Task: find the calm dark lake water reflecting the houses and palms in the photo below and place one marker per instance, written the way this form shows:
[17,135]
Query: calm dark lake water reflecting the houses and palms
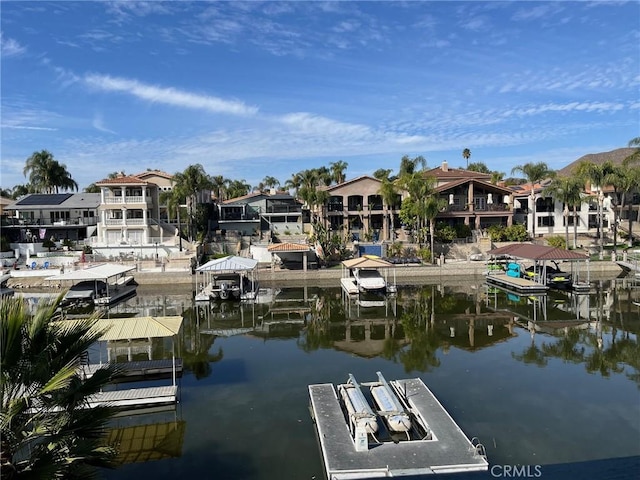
[539,380]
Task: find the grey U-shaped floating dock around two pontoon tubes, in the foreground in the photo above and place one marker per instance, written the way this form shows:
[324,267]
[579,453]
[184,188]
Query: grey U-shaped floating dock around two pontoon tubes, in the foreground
[446,449]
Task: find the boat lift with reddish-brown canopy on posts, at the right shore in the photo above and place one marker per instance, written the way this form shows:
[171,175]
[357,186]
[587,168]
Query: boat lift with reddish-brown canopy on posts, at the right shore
[539,255]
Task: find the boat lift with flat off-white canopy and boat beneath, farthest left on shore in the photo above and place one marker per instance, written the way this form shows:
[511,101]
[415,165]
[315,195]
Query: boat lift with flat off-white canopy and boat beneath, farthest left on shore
[103,284]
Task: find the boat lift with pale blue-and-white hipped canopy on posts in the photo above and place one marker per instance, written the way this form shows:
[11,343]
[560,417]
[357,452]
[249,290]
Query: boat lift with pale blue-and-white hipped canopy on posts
[228,267]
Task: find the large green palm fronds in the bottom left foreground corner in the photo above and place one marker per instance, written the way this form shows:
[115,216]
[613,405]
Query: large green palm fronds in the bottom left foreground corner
[46,429]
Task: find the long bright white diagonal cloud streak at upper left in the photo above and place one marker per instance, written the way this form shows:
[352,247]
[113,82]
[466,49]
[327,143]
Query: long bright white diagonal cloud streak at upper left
[168,95]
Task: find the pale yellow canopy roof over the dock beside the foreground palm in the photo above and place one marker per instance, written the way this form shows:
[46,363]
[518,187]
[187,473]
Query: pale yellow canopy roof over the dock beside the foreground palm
[138,327]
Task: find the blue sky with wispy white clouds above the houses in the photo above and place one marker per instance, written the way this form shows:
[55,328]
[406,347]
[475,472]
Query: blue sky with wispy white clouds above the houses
[272,88]
